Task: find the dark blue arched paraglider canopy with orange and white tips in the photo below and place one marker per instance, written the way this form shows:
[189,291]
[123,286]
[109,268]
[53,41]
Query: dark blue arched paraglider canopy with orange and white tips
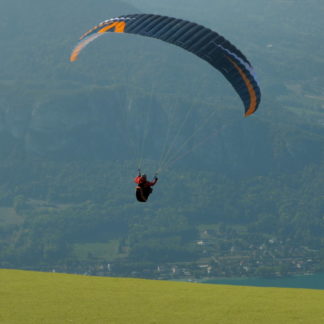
[199,40]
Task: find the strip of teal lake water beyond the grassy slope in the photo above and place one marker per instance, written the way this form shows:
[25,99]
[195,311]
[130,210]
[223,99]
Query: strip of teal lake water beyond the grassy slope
[315,281]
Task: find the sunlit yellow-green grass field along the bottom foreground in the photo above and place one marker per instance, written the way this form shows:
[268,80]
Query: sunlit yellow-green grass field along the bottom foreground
[33,297]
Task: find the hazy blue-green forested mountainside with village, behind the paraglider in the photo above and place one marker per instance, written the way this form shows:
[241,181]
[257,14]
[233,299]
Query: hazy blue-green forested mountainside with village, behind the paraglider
[236,196]
